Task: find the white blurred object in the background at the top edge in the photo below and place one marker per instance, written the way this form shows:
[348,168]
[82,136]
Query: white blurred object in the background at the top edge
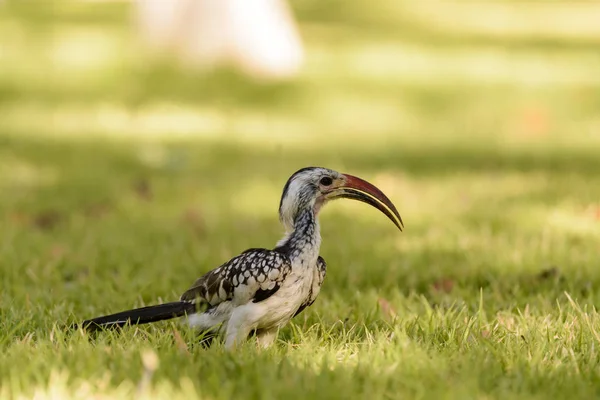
[259,37]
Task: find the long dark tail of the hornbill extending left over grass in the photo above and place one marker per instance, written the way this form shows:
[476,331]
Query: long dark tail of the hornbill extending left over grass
[139,316]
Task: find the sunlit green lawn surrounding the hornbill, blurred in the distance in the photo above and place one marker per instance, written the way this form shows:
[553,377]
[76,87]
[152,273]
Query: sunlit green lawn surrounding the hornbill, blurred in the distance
[121,181]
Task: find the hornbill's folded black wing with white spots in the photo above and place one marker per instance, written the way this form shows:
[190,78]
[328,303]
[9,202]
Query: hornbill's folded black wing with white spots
[254,275]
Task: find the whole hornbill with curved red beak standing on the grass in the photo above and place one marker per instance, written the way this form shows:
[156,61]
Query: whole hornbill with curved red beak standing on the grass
[261,290]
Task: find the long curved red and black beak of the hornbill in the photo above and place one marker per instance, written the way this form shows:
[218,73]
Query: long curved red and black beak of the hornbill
[361,190]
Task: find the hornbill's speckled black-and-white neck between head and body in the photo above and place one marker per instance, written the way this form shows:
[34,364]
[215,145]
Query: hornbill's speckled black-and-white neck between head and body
[303,241]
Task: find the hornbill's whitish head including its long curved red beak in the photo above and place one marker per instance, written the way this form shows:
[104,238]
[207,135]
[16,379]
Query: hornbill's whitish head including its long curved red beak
[312,187]
